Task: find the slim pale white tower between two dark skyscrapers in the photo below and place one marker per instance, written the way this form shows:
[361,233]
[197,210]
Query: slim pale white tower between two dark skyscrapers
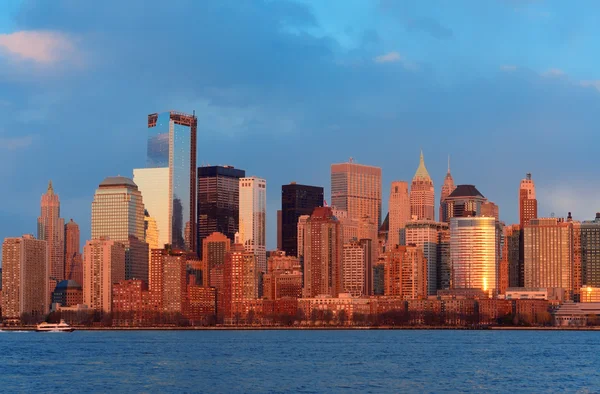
[253,212]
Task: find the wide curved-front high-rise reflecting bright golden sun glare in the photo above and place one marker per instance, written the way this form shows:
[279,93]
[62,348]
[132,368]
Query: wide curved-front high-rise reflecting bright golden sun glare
[474,253]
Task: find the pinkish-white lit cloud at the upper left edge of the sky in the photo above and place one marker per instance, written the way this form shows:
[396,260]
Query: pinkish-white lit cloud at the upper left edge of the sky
[42,47]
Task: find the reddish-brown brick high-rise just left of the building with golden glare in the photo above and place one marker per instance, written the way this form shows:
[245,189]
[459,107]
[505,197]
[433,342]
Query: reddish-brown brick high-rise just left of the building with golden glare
[405,272]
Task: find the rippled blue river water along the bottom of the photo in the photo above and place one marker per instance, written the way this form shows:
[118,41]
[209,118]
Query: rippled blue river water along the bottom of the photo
[300,361]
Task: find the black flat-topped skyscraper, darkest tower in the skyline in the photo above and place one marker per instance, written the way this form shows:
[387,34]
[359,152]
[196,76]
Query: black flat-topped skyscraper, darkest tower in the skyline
[296,200]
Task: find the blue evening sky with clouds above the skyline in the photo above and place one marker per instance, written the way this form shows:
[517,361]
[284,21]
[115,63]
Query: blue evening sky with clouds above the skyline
[283,89]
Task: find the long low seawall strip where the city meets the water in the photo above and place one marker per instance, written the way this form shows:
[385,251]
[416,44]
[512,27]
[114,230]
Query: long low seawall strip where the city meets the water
[332,328]
